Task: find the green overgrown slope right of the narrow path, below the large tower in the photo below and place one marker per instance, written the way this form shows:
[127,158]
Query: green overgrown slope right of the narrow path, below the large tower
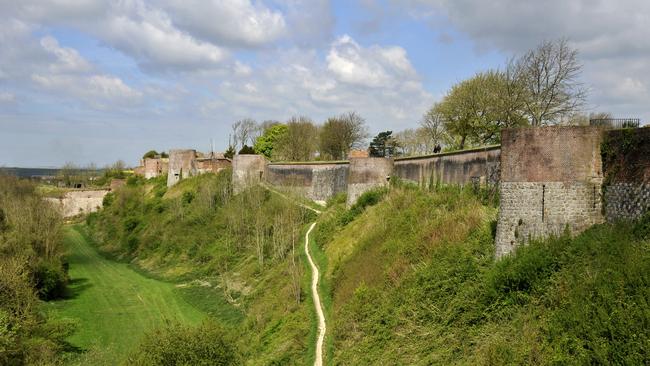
[413,281]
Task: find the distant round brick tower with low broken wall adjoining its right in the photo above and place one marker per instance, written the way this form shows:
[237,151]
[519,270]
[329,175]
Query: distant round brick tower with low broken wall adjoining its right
[188,163]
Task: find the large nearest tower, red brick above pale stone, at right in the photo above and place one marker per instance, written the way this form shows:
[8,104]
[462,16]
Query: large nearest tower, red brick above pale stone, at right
[551,179]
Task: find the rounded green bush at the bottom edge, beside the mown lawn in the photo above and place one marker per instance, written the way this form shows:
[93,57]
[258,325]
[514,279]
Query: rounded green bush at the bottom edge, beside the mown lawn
[177,344]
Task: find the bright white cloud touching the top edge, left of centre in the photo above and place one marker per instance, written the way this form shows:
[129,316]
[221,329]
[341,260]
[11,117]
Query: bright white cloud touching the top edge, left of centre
[238,23]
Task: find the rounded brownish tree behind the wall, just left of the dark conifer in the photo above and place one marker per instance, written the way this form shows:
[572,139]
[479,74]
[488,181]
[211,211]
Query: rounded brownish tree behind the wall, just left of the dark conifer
[340,134]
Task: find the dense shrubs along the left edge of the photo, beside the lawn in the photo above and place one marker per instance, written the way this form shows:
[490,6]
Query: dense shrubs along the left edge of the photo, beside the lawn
[31,269]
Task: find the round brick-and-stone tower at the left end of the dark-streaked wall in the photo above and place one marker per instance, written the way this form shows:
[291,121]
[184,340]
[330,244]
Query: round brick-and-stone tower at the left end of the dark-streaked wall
[366,174]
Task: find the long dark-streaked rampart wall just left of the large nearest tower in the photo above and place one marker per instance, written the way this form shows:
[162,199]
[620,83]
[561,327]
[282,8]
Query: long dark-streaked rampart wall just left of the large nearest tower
[459,167]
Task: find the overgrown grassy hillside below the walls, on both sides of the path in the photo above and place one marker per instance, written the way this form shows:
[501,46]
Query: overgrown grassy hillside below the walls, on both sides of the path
[408,276]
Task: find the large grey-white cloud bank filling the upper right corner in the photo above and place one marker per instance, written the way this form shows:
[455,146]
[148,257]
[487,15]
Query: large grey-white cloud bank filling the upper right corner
[611,37]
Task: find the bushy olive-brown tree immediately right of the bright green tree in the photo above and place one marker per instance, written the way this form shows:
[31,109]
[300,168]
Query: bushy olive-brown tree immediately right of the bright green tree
[300,141]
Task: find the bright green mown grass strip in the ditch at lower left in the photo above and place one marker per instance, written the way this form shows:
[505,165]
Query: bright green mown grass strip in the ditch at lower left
[114,305]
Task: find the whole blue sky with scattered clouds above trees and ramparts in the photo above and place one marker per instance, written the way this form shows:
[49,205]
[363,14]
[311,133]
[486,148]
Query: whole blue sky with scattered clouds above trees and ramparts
[94,81]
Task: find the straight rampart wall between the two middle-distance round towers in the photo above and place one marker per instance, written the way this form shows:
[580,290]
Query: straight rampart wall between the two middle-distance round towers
[318,181]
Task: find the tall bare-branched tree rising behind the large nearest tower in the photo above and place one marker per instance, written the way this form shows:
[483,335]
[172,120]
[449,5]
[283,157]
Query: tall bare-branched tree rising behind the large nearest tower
[550,78]
